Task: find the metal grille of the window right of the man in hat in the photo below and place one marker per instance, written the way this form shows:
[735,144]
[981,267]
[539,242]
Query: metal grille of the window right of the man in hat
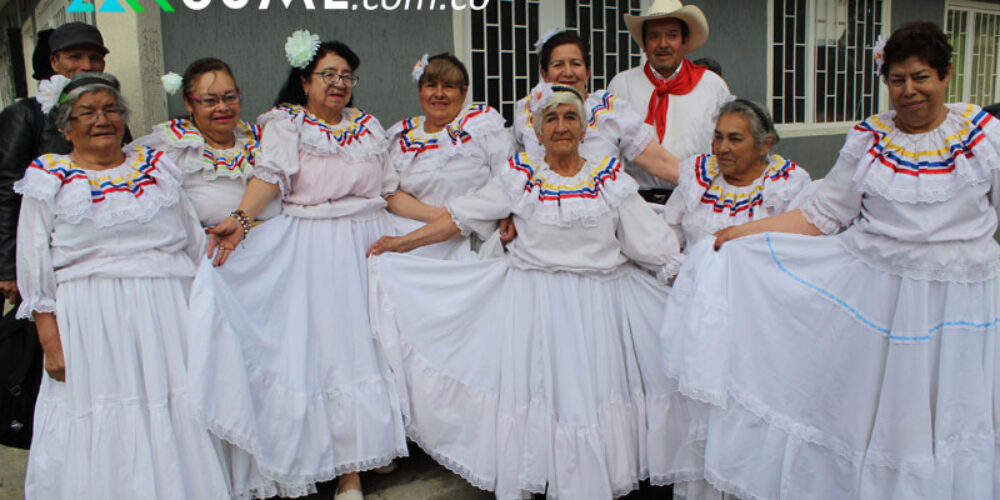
[821,60]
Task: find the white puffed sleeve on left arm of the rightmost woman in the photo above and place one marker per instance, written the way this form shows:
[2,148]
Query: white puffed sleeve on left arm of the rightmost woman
[837,200]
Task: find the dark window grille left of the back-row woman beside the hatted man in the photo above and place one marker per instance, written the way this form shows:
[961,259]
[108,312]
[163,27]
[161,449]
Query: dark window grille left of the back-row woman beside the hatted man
[504,64]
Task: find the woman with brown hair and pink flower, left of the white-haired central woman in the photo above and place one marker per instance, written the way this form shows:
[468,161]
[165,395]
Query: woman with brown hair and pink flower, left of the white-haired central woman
[450,150]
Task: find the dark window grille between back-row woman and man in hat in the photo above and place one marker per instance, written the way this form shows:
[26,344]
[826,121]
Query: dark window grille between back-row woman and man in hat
[602,23]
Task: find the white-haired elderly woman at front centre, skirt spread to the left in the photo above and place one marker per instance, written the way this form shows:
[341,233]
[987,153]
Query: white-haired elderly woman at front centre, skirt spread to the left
[531,373]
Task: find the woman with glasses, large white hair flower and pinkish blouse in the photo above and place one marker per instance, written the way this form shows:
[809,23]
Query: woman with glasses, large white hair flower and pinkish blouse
[284,349]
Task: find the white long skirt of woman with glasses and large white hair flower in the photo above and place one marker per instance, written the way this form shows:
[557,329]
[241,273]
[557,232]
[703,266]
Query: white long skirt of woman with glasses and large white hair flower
[282,345]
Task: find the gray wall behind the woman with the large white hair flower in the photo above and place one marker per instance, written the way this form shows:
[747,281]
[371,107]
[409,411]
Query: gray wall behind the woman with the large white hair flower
[252,42]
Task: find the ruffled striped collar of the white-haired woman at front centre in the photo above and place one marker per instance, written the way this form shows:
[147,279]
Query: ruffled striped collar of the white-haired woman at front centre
[595,191]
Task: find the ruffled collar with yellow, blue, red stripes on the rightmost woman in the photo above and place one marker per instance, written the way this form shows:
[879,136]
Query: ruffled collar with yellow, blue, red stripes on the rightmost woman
[916,168]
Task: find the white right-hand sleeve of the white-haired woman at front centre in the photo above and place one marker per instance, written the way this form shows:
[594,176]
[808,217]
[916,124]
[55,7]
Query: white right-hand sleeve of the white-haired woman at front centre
[646,239]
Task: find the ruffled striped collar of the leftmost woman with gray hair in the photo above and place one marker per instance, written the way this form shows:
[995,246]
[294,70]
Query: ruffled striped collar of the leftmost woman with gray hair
[134,191]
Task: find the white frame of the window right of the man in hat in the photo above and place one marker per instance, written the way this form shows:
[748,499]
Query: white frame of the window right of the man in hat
[810,128]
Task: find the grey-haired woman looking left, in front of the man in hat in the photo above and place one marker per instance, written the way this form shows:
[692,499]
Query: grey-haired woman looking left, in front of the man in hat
[740,181]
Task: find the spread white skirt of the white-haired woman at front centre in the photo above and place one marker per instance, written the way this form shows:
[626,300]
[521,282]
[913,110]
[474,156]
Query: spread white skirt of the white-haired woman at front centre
[523,381]
